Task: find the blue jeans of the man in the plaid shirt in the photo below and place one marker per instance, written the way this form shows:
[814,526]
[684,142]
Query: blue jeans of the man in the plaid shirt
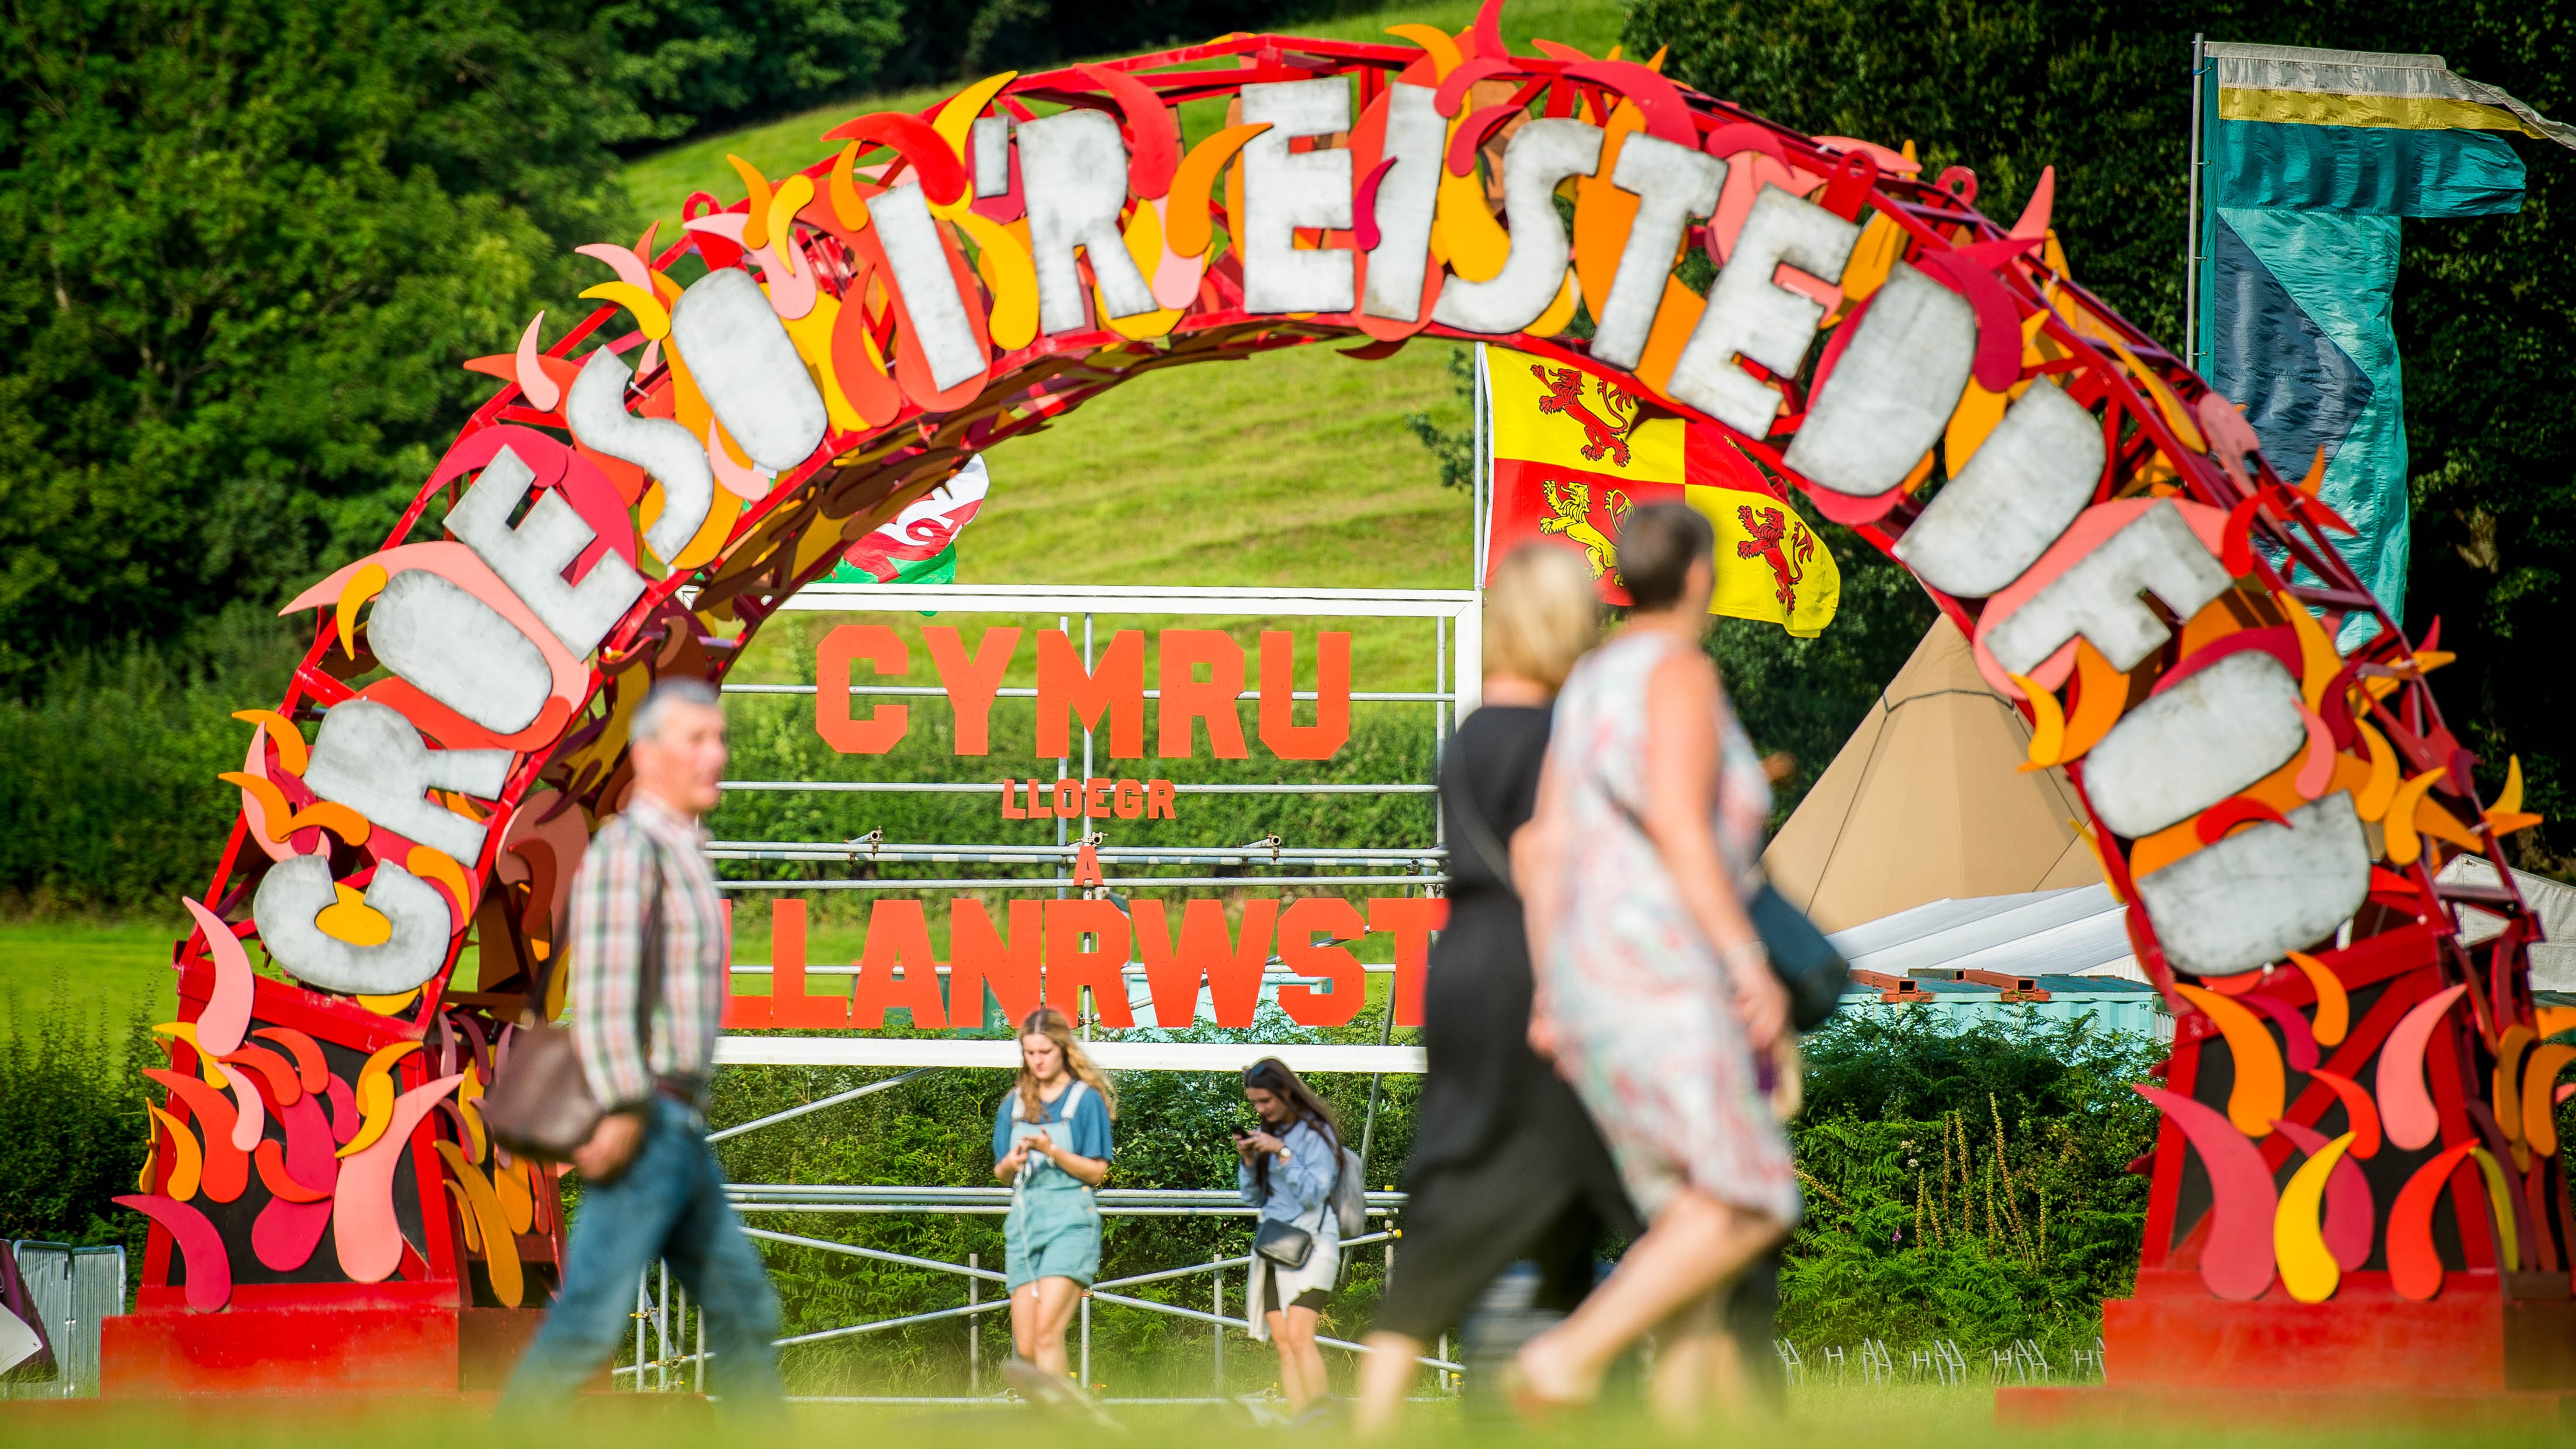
[666,1205]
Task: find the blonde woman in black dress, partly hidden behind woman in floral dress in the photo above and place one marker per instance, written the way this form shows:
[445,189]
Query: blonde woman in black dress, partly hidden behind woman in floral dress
[1506,1159]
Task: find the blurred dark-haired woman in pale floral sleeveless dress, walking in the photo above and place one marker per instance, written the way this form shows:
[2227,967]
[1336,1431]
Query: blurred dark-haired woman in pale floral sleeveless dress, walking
[1655,994]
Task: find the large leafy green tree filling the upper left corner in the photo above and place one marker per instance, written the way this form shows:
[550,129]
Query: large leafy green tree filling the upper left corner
[251,246]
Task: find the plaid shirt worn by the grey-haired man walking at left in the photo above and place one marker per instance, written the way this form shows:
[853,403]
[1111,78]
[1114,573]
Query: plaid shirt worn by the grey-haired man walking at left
[607,960]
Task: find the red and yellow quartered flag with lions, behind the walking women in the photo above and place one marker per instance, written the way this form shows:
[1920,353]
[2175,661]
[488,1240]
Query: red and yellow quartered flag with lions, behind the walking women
[1575,455]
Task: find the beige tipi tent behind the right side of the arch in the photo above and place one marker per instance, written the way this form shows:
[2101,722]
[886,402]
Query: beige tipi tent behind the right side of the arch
[1928,803]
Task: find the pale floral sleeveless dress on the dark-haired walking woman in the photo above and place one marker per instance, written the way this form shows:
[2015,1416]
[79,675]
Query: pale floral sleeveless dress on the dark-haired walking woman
[1645,1015]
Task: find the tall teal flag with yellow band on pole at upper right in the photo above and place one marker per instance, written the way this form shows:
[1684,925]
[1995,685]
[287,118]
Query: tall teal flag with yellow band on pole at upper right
[2312,161]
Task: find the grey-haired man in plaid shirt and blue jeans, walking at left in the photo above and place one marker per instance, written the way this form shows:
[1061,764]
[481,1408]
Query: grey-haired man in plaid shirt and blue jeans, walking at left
[650,1185]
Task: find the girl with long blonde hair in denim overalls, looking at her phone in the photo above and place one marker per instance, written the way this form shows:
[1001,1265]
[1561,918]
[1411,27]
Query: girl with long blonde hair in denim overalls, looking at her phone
[1052,1146]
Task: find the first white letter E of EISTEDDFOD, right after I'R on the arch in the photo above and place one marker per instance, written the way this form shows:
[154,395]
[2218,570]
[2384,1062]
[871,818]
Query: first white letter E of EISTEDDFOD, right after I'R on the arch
[1287,192]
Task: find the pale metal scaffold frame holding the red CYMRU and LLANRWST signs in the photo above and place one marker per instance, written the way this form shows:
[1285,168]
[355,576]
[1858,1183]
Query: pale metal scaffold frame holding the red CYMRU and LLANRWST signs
[663,1350]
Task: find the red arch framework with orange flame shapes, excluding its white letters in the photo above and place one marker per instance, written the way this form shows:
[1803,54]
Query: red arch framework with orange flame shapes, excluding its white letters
[2165,440]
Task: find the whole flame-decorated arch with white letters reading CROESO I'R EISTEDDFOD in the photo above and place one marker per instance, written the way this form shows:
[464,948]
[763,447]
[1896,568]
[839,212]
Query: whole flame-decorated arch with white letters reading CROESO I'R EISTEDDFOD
[2132,571]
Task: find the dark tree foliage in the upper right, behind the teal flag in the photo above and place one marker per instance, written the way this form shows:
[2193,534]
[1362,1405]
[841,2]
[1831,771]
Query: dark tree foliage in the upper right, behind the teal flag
[2101,92]
